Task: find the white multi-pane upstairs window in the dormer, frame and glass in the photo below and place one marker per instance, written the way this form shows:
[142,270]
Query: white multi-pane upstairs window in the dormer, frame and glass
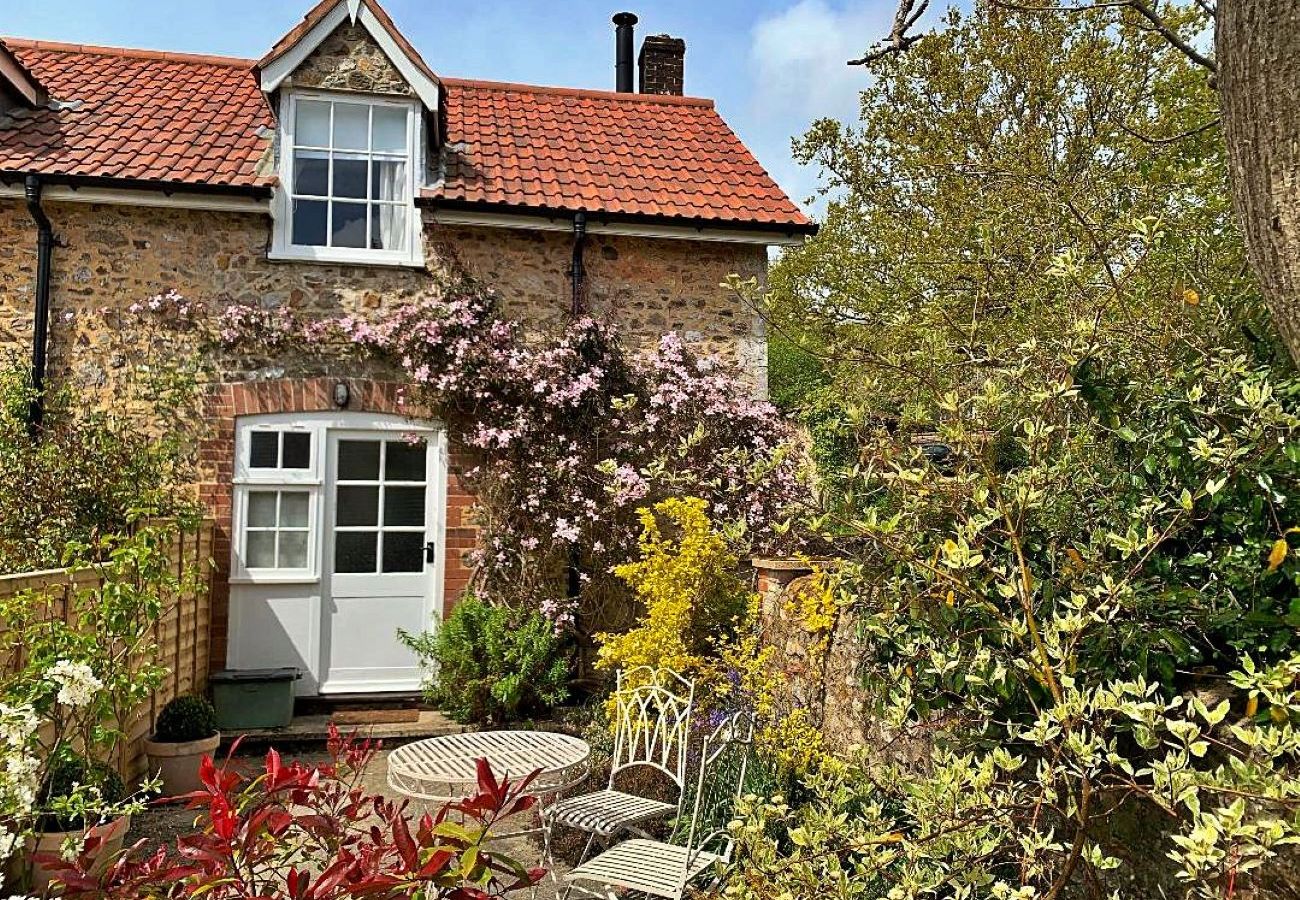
[348,176]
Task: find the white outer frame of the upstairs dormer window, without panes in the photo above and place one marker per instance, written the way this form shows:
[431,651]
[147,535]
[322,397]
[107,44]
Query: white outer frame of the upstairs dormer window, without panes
[283,248]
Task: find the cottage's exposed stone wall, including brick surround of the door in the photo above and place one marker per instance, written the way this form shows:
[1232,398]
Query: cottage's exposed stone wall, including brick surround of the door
[112,257]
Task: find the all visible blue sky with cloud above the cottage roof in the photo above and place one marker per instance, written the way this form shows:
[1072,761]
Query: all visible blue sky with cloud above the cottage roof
[773,66]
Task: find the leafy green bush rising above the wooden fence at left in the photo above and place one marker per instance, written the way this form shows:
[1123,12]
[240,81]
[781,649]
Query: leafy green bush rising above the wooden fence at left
[90,471]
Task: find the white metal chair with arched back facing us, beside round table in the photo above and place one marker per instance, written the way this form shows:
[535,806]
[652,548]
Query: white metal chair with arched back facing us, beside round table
[652,728]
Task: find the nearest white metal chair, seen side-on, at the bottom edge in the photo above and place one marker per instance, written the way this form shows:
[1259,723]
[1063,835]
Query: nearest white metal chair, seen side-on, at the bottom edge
[661,869]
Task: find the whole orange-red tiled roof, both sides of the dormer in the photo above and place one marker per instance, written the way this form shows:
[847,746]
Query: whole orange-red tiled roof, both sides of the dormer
[202,122]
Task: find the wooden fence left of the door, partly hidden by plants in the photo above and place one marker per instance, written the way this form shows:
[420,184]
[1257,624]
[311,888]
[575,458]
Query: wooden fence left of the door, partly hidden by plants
[181,634]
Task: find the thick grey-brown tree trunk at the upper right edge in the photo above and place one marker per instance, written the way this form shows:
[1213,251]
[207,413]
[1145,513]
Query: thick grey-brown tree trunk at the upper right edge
[1258,46]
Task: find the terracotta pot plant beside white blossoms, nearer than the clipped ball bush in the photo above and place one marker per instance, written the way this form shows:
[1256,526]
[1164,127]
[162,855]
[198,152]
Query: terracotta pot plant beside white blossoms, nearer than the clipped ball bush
[79,801]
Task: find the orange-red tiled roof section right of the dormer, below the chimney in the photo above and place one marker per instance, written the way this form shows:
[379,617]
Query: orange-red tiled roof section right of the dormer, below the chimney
[623,154]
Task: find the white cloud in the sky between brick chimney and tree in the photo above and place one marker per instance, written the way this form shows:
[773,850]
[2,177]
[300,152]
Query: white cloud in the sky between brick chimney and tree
[799,64]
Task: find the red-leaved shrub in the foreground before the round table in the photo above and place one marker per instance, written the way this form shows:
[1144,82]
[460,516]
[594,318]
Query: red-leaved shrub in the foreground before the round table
[313,833]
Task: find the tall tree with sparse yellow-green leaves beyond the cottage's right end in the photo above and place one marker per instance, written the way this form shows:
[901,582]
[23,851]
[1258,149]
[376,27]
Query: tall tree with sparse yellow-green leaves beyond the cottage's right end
[981,155]
